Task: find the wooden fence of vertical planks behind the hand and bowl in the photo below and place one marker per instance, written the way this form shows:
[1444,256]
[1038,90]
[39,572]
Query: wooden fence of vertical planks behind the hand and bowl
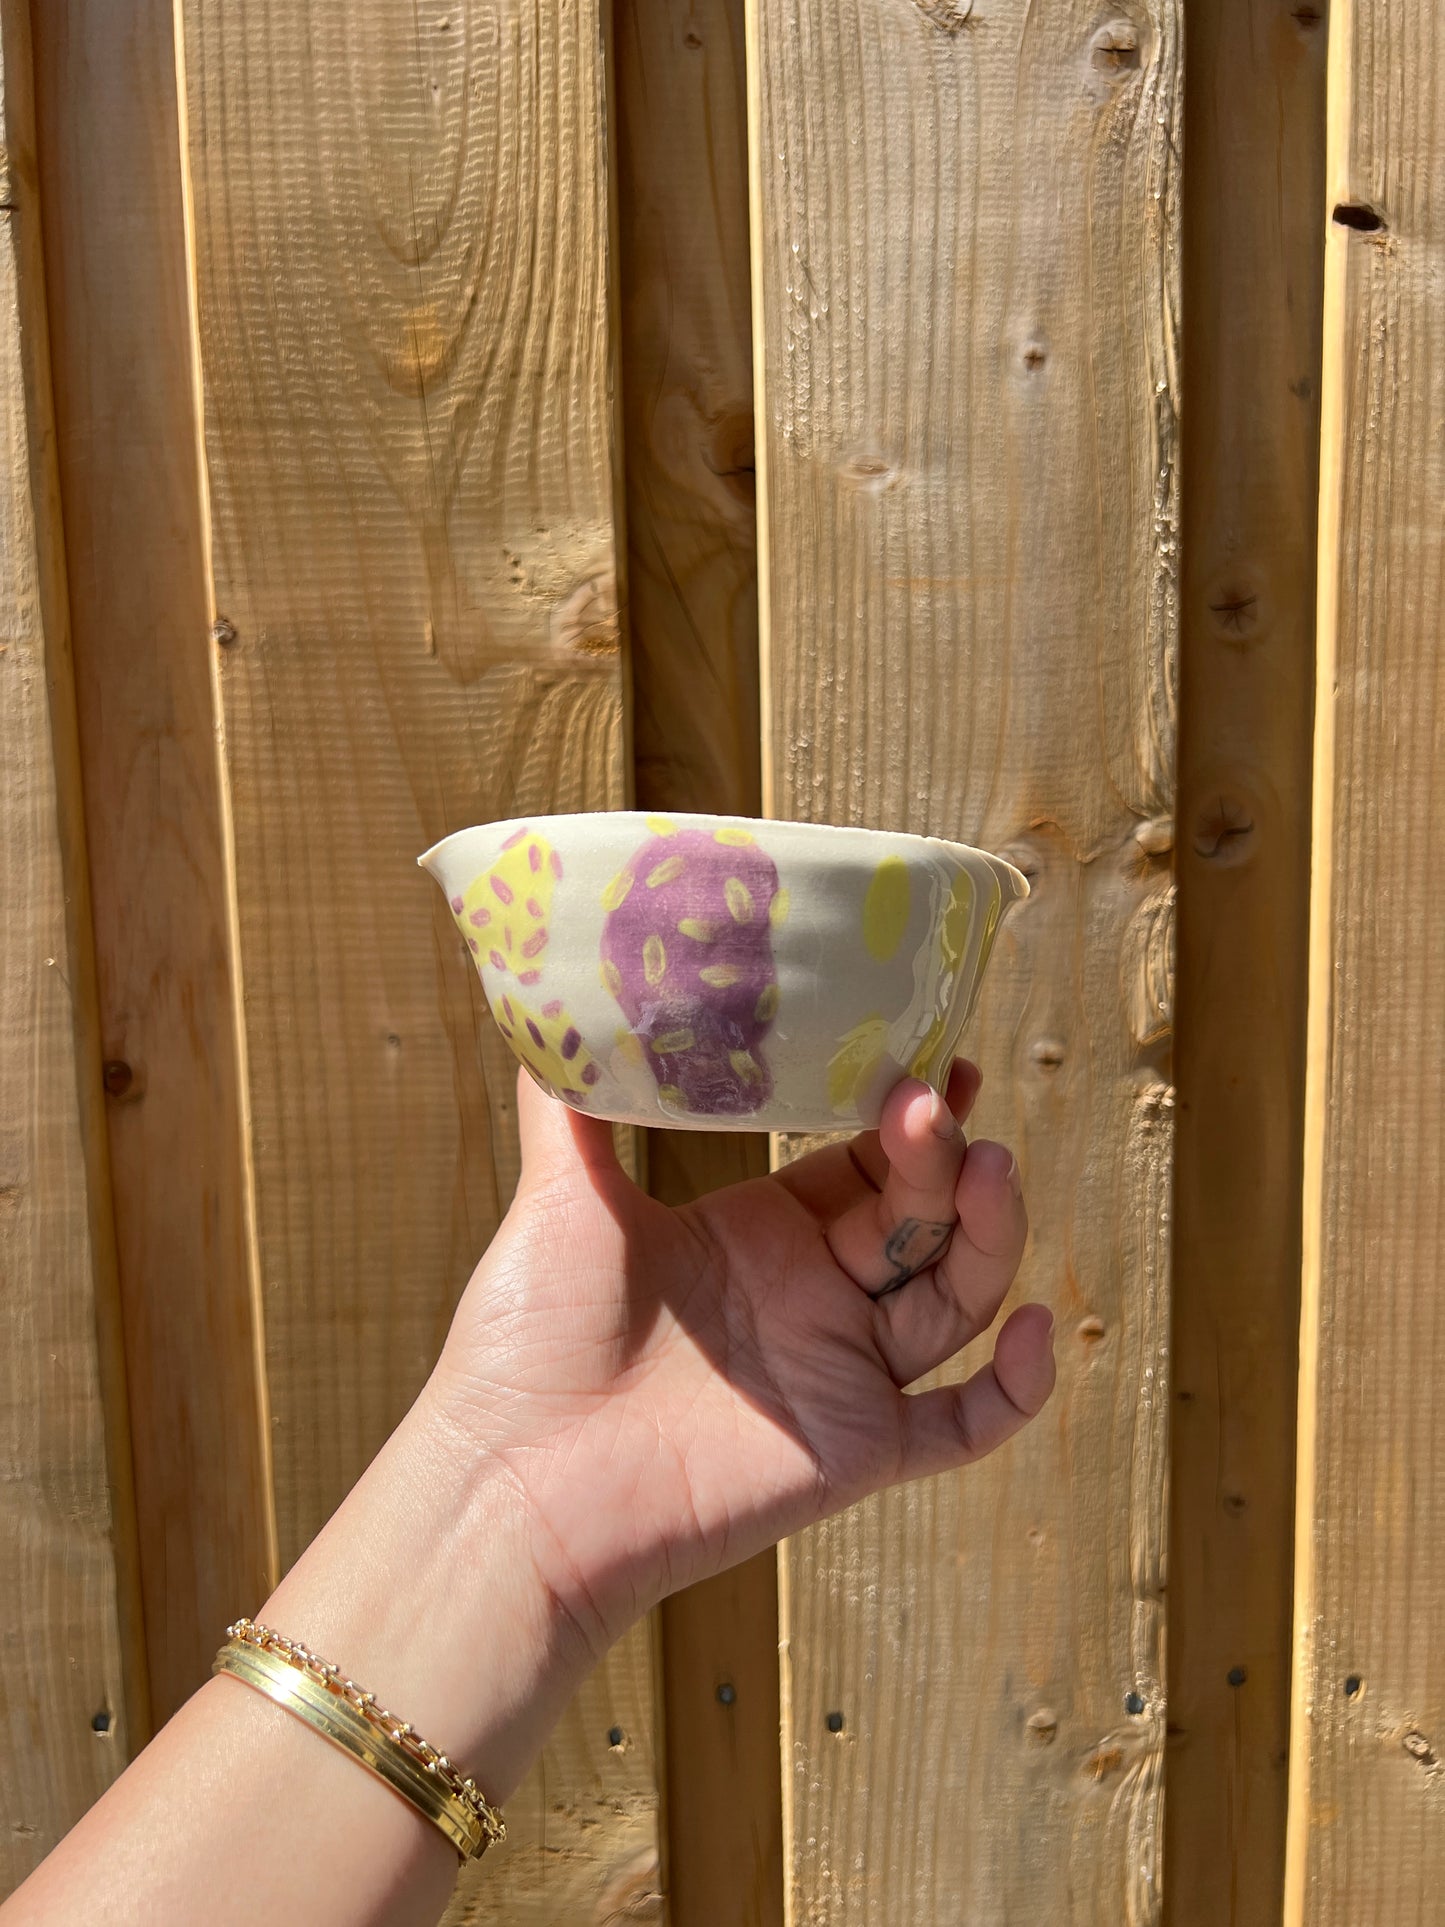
[381,392]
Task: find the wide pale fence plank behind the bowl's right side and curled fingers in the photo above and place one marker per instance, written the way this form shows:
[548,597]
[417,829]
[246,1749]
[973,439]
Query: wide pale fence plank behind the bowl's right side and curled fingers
[968,284]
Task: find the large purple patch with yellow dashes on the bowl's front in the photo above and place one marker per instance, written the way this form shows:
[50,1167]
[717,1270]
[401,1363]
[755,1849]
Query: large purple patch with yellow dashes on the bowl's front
[687,953]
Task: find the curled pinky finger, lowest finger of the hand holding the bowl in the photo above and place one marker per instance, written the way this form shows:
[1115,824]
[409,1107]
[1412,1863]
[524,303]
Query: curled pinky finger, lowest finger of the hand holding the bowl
[957,1425]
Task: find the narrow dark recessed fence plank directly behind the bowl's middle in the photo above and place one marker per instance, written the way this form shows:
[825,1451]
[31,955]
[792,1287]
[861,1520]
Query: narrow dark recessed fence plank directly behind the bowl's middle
[693,625]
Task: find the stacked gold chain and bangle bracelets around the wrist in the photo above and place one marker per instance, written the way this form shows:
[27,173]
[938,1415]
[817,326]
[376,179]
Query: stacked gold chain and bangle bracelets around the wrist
[352,1720]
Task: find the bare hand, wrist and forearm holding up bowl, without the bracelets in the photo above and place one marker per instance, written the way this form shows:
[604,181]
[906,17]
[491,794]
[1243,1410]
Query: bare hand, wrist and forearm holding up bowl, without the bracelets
[631,1398]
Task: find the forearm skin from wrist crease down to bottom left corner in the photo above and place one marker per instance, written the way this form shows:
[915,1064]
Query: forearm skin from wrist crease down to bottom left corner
[427,1591]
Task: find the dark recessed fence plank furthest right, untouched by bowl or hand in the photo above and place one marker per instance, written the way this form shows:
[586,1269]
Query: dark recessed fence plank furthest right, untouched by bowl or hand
[1253,300]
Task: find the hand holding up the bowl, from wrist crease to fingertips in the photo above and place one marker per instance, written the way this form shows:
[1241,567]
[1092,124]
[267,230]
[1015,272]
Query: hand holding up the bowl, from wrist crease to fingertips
[675,1390]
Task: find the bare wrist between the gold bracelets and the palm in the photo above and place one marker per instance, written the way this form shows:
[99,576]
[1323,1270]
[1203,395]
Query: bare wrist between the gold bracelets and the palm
[433,1591]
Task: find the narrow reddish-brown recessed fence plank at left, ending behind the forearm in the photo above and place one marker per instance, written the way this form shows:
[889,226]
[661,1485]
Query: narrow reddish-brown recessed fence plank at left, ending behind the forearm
[155,822]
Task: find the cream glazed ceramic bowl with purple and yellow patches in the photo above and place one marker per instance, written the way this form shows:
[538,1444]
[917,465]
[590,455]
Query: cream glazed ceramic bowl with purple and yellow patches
[725,974]
